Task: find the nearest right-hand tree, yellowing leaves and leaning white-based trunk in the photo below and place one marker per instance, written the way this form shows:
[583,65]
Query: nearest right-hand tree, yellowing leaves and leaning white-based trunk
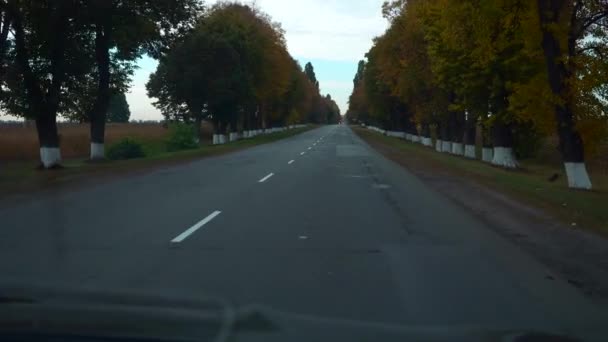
[574,37]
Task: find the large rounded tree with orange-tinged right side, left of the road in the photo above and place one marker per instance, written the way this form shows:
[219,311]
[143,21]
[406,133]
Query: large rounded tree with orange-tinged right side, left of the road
[234,69]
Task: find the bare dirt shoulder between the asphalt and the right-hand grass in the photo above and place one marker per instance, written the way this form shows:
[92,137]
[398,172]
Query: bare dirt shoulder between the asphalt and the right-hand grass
[578,256]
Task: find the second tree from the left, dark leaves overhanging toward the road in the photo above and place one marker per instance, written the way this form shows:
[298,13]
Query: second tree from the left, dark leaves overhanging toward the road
[131,28]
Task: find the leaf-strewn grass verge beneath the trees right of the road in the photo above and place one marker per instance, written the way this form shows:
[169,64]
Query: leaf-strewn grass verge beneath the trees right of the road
[530,185]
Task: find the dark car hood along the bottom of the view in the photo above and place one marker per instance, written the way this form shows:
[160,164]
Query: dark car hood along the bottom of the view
[46,313]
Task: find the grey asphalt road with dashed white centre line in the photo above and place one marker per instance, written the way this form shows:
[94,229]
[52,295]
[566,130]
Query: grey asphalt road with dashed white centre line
[316,224]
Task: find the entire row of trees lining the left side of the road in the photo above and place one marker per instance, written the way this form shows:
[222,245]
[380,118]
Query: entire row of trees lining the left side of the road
[75,59]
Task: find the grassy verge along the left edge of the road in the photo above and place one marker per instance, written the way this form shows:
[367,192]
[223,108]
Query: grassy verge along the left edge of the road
[18,177]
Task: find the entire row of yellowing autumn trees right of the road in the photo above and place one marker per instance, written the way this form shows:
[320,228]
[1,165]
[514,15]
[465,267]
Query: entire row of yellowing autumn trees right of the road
[515,68]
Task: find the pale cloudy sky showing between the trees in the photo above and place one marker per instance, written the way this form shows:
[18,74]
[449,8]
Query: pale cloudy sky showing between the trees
[331,34]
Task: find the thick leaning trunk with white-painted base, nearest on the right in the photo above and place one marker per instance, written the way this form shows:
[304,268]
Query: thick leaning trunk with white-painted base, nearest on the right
[560,70]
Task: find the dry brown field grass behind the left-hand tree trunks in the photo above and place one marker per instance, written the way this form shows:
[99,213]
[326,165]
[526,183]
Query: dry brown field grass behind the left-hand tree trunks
[20,143]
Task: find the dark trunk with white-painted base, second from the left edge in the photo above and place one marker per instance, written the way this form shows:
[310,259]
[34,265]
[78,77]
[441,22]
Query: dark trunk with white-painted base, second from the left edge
[100,107]
